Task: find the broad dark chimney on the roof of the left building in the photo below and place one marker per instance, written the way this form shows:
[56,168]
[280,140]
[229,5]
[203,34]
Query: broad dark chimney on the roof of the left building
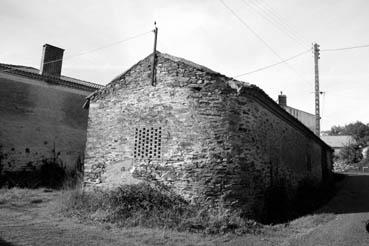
[51,61]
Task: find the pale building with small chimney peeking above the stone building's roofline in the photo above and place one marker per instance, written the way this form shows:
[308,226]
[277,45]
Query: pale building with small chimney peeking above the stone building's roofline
[304,117]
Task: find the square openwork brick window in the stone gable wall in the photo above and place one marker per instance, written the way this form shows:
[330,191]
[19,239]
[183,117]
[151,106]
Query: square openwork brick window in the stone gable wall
[147,143]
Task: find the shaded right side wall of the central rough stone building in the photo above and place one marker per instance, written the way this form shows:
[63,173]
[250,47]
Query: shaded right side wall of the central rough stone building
[267,151]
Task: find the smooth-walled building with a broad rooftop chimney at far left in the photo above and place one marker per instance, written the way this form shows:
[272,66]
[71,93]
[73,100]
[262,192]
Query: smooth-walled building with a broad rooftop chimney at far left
[41,115]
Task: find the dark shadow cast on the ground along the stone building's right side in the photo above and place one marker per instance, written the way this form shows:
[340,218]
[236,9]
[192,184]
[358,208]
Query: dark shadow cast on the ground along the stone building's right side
[346,193]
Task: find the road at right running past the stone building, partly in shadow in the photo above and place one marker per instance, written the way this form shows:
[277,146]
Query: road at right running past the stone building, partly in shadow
[351,205]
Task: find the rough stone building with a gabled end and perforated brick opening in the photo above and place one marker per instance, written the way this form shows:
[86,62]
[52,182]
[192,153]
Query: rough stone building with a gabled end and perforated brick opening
[205,136]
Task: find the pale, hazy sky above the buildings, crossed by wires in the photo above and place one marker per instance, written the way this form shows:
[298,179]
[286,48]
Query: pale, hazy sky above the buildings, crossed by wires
[104,38]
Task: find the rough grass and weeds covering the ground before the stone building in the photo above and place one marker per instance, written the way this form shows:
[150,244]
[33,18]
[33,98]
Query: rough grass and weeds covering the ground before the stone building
[104,226]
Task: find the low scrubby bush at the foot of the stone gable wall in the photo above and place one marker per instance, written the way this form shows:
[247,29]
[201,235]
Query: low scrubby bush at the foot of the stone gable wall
[144,205]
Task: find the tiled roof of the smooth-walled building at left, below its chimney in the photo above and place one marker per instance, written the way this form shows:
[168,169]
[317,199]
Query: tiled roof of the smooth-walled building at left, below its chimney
[33,73]
